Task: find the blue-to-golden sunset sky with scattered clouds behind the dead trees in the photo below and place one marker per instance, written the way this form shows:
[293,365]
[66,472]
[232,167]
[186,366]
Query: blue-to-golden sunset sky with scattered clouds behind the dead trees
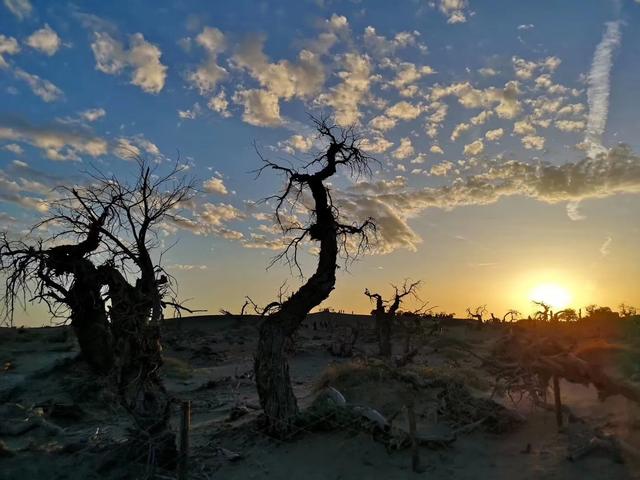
[505,134]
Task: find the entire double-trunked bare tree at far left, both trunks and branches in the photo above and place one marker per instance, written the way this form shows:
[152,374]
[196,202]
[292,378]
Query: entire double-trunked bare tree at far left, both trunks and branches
[115,264]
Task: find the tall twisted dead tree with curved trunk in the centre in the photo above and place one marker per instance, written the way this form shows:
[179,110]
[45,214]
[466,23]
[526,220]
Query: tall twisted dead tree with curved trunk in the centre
[324,228]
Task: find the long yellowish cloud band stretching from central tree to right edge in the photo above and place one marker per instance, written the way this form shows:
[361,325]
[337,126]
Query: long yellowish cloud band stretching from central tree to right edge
[617,171]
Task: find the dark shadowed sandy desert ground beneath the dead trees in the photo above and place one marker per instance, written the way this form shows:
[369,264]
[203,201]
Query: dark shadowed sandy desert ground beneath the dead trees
[209,362]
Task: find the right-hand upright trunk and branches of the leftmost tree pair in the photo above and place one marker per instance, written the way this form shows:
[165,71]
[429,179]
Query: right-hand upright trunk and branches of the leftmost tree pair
[137,285]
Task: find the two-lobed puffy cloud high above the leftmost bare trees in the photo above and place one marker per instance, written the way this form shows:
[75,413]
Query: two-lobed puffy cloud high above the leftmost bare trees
[142,57]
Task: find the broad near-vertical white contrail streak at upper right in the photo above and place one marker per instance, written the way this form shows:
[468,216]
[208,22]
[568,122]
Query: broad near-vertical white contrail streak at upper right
[599,87]
